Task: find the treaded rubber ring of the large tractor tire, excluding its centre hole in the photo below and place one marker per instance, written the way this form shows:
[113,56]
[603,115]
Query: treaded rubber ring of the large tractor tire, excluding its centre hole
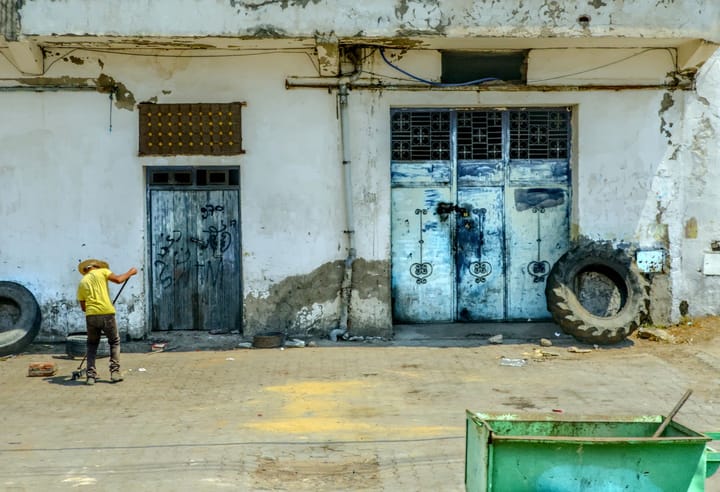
[569,313]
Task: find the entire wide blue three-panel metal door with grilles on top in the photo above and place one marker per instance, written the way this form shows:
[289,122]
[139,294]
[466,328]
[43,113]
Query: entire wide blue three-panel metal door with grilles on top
[480,211]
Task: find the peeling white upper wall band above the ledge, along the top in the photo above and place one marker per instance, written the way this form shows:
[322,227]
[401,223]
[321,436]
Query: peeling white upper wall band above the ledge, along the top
[371,18]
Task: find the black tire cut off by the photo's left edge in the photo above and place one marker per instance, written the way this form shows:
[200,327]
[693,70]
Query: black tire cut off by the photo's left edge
[23,331]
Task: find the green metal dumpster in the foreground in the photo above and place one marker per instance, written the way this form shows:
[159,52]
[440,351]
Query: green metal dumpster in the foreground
[544,453]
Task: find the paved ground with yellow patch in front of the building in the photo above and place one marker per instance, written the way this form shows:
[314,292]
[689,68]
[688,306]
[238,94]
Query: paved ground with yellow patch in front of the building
[379,416]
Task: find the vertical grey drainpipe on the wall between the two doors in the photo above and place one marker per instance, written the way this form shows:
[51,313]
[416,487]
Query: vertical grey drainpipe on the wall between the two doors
[346,287]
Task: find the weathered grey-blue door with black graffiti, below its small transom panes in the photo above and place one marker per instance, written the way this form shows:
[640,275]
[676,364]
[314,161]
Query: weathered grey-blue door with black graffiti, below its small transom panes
[195,254]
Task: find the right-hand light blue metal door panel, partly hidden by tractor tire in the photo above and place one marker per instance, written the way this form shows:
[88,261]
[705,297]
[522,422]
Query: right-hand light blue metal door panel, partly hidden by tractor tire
[537,235]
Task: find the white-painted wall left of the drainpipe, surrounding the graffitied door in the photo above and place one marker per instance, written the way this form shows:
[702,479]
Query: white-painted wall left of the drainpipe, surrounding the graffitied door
[77,190]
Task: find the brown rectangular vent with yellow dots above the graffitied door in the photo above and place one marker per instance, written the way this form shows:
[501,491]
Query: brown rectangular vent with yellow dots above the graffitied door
[190,129]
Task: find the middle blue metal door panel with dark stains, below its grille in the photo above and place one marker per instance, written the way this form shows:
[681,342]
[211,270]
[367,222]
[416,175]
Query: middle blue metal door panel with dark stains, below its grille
[480,258]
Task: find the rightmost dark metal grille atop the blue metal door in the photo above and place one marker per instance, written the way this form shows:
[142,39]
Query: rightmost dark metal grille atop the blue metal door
[541,134]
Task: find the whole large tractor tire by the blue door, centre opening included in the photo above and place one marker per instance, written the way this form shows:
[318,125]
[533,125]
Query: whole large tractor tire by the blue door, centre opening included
[596,293]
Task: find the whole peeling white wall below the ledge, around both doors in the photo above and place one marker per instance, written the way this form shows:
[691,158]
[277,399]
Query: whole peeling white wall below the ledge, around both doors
[644,164]
